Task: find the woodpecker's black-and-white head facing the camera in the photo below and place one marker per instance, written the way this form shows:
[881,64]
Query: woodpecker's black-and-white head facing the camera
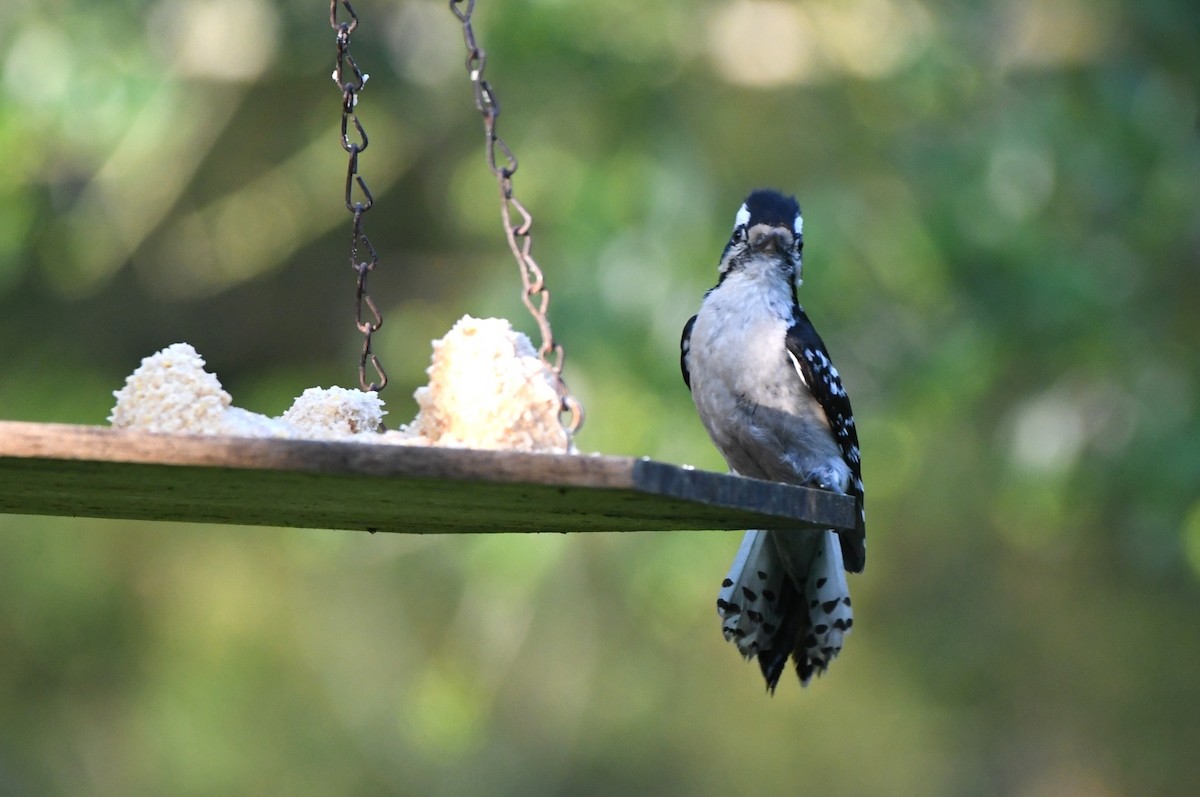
[769,229]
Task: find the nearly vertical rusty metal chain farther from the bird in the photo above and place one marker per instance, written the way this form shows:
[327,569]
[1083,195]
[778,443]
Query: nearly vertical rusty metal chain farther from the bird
[351,86]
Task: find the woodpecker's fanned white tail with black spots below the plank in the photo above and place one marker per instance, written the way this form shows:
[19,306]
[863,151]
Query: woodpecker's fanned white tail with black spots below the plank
[787,596]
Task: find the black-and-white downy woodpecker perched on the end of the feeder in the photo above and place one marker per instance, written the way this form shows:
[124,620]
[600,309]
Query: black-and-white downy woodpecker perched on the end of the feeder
[773,404]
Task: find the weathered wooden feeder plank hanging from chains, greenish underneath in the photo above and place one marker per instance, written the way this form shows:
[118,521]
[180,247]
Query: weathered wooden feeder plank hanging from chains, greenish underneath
[95,472]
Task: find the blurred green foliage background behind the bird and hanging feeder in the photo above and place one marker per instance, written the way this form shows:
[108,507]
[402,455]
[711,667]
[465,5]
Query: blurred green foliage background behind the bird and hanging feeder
[1004,254]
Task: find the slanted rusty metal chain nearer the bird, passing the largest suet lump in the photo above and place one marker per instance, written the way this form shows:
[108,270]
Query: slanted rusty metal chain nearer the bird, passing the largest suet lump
[536,295]
